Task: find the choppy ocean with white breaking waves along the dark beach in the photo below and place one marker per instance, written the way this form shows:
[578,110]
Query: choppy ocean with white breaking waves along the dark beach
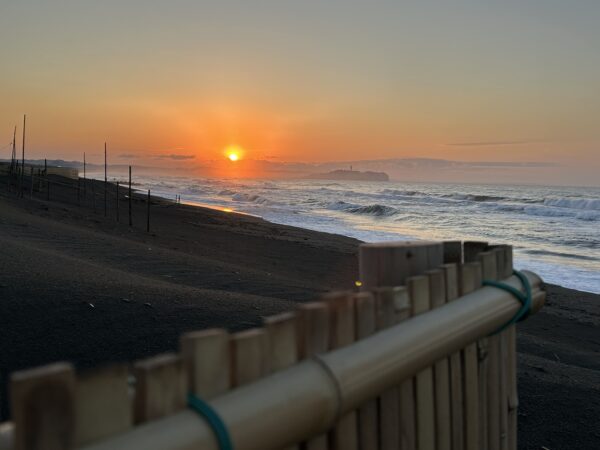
[555,231]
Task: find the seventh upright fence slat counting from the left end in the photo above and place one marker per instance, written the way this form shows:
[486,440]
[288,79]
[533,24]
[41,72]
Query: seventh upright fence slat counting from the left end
[313,338]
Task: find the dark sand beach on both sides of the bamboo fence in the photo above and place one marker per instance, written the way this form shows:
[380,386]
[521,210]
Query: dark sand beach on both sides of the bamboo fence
[80,287]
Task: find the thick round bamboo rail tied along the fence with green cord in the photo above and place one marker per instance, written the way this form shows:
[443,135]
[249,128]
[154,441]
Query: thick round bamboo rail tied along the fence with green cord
[307,398]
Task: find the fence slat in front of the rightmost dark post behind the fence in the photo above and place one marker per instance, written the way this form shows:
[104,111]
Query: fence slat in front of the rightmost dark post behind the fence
[470,280]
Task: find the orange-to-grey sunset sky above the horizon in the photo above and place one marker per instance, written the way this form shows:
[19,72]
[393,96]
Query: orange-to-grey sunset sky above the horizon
[305,80]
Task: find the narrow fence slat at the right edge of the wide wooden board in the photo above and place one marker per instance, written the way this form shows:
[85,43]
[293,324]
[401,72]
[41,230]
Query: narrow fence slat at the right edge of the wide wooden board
[441,371]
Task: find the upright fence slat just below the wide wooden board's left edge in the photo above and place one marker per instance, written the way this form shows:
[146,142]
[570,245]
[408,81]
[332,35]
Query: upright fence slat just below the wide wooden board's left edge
[364,310]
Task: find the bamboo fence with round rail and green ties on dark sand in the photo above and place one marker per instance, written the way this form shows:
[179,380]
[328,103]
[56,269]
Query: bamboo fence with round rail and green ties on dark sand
[412,360]
